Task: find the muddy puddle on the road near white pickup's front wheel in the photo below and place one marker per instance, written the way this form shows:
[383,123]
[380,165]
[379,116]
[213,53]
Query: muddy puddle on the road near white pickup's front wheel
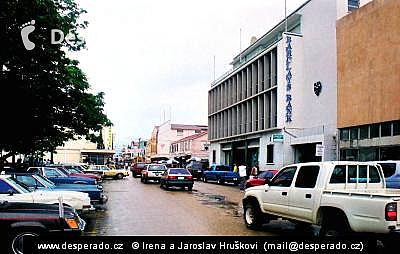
[219,201]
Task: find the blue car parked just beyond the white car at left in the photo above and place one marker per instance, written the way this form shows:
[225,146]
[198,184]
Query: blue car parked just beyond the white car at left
[39,182]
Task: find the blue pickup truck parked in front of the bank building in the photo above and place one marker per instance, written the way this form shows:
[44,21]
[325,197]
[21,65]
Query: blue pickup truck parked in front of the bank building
[221,174]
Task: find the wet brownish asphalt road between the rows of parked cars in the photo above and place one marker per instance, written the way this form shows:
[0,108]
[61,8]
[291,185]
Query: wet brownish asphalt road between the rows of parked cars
[135,208]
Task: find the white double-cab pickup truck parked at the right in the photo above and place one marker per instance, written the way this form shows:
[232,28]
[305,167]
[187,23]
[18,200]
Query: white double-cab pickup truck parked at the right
[339,196]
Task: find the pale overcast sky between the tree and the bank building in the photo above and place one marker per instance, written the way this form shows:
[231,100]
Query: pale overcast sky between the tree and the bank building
[154,60]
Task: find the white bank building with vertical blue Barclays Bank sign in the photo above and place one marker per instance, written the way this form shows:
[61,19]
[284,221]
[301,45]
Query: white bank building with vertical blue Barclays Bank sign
[278,105]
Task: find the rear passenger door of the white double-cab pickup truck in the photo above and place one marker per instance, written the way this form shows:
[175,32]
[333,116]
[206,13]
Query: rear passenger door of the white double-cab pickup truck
[302,196]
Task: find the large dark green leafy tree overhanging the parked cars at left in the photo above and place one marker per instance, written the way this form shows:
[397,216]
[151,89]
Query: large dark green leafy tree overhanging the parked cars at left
[45,99]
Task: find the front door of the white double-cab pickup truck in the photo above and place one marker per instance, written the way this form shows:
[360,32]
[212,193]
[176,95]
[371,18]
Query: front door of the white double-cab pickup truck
[275,197]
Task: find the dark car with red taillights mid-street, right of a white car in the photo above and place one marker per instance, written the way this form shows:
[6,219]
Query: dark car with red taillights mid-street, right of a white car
[177,177]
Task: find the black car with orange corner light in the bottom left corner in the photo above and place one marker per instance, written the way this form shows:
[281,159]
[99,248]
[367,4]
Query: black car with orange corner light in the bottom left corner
[21,220]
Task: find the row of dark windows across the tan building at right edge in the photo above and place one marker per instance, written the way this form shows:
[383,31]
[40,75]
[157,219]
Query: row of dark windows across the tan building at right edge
[376,130]
